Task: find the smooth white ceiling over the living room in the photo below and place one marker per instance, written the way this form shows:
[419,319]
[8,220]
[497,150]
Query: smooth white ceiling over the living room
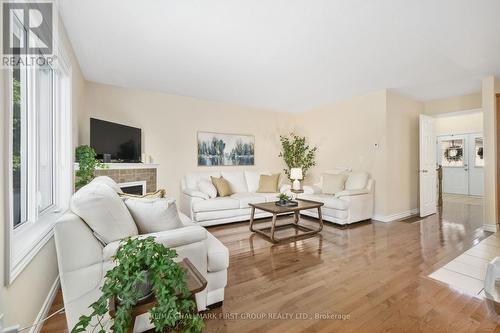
[287,55]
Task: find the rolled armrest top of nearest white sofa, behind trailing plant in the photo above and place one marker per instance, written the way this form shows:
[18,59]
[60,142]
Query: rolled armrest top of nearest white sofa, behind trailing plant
[170,238]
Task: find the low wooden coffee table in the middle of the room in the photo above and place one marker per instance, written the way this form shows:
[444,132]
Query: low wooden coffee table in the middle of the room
[271,207]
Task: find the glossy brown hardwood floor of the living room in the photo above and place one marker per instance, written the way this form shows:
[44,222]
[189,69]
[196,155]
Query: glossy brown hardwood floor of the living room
[372,275]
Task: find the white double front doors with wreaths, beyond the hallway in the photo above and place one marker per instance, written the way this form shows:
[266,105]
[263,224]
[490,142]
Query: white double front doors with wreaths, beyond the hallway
[461,156]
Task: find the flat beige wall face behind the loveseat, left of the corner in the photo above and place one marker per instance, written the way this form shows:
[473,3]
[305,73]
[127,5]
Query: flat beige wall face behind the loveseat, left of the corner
[345,134]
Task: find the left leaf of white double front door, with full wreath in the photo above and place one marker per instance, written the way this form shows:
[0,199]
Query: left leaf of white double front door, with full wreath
[453,156]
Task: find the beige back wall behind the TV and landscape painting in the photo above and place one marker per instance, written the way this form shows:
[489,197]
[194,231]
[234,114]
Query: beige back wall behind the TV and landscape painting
[170,124]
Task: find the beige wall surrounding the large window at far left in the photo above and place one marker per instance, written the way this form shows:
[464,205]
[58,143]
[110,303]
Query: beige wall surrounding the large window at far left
[23,299]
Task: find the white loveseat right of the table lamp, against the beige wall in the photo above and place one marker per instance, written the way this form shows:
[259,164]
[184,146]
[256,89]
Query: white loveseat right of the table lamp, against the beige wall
[352,205]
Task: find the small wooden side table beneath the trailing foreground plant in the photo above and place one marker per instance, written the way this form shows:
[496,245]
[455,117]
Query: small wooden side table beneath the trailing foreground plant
[195,283]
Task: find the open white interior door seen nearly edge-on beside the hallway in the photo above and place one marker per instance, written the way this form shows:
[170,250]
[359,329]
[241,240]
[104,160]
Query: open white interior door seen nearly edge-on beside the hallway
[427,170]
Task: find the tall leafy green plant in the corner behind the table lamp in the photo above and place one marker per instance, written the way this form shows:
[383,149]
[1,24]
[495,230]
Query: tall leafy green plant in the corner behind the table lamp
[297,153]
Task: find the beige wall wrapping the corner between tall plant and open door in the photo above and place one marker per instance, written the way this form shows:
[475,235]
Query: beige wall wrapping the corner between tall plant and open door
[346,134]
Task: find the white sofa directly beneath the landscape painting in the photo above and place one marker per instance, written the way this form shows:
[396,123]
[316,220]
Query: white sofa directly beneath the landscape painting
[208,211]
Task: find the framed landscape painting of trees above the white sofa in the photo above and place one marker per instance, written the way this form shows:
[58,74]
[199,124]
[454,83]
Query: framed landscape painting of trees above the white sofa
[218,149]
